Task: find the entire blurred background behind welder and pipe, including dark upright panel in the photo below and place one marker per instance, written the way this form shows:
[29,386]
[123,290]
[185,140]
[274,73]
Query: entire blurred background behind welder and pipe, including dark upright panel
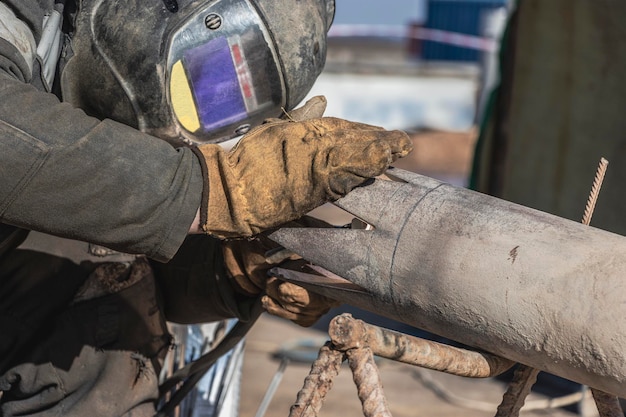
[429,67]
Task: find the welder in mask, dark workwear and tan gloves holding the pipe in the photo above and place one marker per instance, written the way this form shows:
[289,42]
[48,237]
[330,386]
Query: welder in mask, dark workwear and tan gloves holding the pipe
[120,209]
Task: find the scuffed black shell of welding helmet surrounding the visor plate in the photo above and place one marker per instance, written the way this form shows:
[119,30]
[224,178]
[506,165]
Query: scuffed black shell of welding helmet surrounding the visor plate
[117,65]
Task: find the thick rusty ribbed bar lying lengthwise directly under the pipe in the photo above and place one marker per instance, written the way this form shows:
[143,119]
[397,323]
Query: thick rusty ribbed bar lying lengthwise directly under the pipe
[347,332]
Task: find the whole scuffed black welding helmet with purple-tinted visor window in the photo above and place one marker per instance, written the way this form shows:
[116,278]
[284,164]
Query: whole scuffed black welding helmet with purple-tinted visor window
[194,71]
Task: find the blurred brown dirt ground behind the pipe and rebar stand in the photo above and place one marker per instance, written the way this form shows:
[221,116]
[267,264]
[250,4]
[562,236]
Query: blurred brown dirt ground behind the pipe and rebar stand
[409,391]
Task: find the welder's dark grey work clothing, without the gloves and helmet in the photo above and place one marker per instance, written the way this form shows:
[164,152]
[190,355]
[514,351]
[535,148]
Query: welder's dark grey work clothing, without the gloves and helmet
[86,338]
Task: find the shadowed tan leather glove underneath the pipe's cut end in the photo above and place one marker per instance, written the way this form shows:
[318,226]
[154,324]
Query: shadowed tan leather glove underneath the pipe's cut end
[248,263]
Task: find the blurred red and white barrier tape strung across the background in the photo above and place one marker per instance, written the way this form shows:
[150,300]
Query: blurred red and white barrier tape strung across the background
[435,35]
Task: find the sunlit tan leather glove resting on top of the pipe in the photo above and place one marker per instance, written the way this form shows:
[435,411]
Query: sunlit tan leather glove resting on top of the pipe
[283,169]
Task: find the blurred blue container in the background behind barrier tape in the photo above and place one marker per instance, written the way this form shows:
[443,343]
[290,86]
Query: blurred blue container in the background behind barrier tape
[459,16]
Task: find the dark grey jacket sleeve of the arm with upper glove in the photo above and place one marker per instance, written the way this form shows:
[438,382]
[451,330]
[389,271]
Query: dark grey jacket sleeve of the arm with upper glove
[68,174]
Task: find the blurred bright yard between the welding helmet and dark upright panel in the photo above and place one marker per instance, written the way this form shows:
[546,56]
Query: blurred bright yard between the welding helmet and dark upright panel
[422,66]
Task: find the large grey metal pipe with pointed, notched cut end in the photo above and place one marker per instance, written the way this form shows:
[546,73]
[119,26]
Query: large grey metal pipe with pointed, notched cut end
[519,283]
